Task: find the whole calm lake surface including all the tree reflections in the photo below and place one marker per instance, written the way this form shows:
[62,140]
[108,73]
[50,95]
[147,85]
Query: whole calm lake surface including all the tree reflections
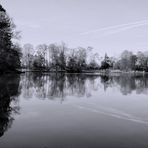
[73,111]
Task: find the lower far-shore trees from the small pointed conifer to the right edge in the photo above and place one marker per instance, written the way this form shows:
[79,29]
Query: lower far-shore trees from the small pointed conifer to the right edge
[128,61]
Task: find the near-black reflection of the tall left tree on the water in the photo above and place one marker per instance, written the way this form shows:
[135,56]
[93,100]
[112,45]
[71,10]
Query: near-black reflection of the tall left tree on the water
[9,90]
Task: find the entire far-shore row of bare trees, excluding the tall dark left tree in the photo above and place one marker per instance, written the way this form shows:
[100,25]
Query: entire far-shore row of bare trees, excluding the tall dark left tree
[56,57]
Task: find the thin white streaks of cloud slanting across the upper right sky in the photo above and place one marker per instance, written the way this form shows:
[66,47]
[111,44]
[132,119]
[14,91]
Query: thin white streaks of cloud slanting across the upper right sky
[117,28]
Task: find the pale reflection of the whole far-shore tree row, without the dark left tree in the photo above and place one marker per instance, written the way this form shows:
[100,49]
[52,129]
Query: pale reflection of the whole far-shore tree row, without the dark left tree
[53,86]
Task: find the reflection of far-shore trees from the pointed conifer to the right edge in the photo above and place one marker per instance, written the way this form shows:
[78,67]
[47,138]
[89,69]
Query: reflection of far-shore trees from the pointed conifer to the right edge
[126,84]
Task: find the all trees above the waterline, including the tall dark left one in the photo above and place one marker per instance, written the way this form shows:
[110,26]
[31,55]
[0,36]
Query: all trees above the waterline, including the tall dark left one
[56,57]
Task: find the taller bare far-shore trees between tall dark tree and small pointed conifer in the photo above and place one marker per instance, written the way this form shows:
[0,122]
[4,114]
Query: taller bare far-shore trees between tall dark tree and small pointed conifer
[56,57]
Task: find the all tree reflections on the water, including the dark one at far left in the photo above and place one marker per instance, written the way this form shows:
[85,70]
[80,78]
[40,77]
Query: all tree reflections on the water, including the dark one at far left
[60,86]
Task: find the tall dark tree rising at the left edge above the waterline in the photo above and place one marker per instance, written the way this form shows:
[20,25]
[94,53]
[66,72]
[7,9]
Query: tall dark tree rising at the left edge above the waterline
[9,53]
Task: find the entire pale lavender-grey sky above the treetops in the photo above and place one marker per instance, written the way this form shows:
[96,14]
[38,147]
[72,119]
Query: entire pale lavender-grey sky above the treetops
[106,25]
